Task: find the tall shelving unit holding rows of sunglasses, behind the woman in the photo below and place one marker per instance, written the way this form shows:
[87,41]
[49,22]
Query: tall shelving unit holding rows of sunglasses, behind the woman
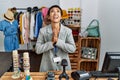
[74,22]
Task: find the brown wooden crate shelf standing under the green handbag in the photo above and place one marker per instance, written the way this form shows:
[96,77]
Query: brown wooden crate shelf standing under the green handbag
[88,64]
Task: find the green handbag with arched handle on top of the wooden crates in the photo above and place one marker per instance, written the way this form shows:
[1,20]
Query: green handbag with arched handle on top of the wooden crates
[92,29]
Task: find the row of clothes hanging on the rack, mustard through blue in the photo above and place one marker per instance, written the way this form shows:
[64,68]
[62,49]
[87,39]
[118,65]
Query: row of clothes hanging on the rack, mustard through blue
[29,25]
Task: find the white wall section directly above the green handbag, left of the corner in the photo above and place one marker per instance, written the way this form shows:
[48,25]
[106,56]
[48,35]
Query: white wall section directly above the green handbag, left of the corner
[89,12]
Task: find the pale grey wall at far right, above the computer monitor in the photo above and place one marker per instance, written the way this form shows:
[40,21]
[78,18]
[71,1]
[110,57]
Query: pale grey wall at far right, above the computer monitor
[109,15]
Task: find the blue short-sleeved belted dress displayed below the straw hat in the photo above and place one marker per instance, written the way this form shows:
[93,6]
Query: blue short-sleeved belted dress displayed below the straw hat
[10,30]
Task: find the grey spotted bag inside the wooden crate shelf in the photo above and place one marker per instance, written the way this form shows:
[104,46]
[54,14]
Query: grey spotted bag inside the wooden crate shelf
[89,53]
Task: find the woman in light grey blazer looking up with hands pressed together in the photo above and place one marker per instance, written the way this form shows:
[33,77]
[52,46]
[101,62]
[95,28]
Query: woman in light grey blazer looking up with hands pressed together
[55,41]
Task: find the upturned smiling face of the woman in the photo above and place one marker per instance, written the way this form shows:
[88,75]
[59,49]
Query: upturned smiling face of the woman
[55,15]
